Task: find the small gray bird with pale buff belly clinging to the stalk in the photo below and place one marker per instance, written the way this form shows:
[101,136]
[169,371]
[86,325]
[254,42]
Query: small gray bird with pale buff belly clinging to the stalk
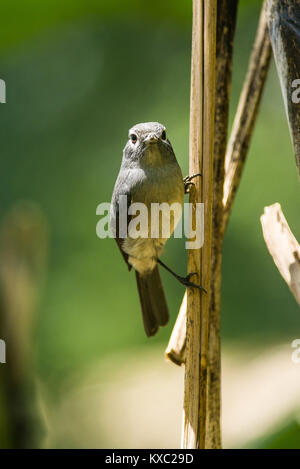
[149,174]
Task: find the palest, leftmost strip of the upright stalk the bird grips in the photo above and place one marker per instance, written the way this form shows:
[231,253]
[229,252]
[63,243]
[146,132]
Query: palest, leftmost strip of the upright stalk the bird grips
[192,368]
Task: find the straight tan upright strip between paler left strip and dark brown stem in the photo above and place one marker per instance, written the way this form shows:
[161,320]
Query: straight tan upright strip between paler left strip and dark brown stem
[210,20]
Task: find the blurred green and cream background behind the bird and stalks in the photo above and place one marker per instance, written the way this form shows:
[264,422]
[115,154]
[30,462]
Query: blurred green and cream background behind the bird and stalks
[78,75]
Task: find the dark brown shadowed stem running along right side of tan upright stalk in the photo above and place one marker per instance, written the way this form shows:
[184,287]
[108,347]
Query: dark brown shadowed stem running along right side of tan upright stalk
[226,21]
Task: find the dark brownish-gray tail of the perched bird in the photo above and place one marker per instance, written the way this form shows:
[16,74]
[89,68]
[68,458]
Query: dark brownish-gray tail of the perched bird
[153,301]
